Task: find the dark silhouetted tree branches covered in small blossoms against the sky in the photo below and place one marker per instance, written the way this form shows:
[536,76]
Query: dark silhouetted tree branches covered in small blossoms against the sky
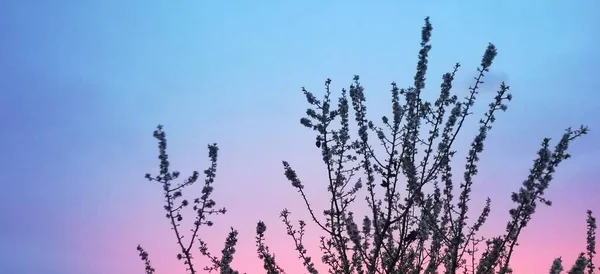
[408,229]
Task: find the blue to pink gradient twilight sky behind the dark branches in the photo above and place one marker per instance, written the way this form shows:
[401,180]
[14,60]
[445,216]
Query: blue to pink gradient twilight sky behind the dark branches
[83,84]
